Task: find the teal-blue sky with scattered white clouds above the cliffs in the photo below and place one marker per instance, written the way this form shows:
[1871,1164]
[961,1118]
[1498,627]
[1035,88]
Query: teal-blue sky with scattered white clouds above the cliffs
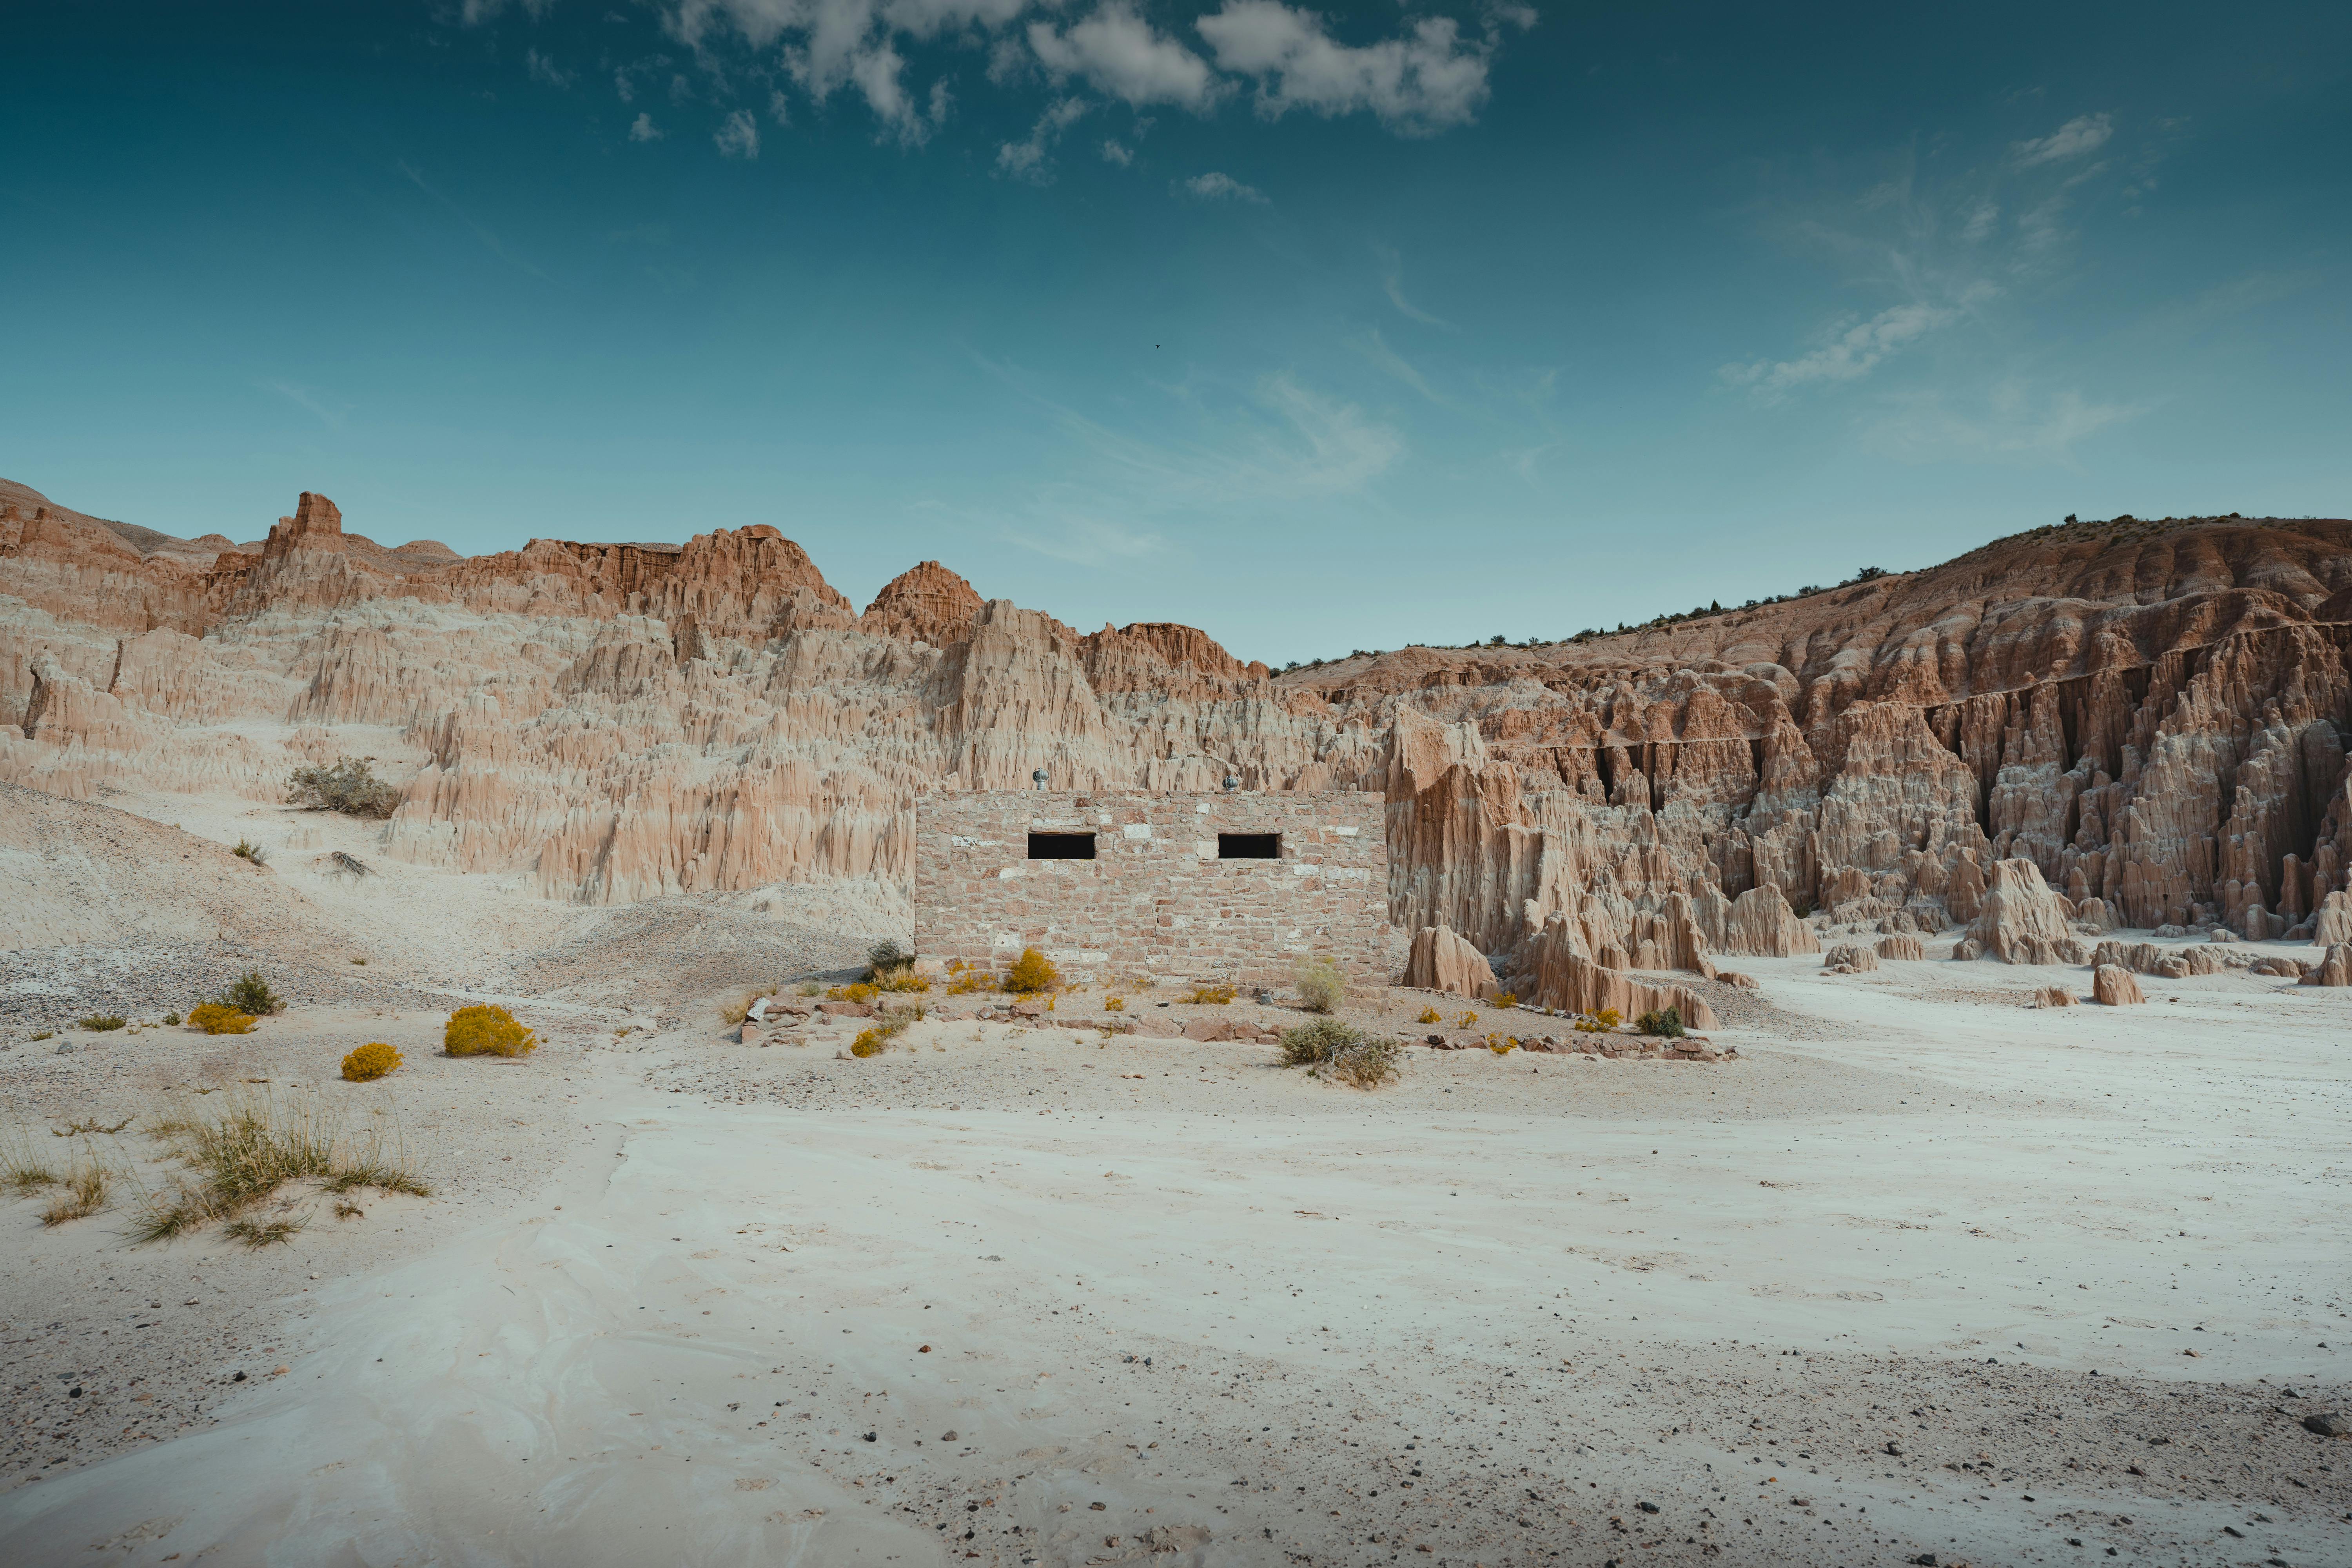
[1321,330]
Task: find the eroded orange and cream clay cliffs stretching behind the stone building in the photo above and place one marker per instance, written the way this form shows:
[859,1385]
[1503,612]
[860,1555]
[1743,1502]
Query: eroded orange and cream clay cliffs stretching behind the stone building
[2151,713]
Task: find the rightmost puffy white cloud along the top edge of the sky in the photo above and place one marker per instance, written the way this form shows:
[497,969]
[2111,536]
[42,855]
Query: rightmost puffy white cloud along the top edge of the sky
[1417,83]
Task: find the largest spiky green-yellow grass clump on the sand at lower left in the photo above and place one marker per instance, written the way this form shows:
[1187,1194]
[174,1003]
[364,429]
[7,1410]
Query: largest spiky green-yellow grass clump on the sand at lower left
[246,1151]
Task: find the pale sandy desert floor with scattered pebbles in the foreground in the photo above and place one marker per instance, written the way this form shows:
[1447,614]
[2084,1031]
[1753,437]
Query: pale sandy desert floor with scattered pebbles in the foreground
[1923,1271]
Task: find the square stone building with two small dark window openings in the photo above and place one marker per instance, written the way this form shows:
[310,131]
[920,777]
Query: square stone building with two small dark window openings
[1196,887]
